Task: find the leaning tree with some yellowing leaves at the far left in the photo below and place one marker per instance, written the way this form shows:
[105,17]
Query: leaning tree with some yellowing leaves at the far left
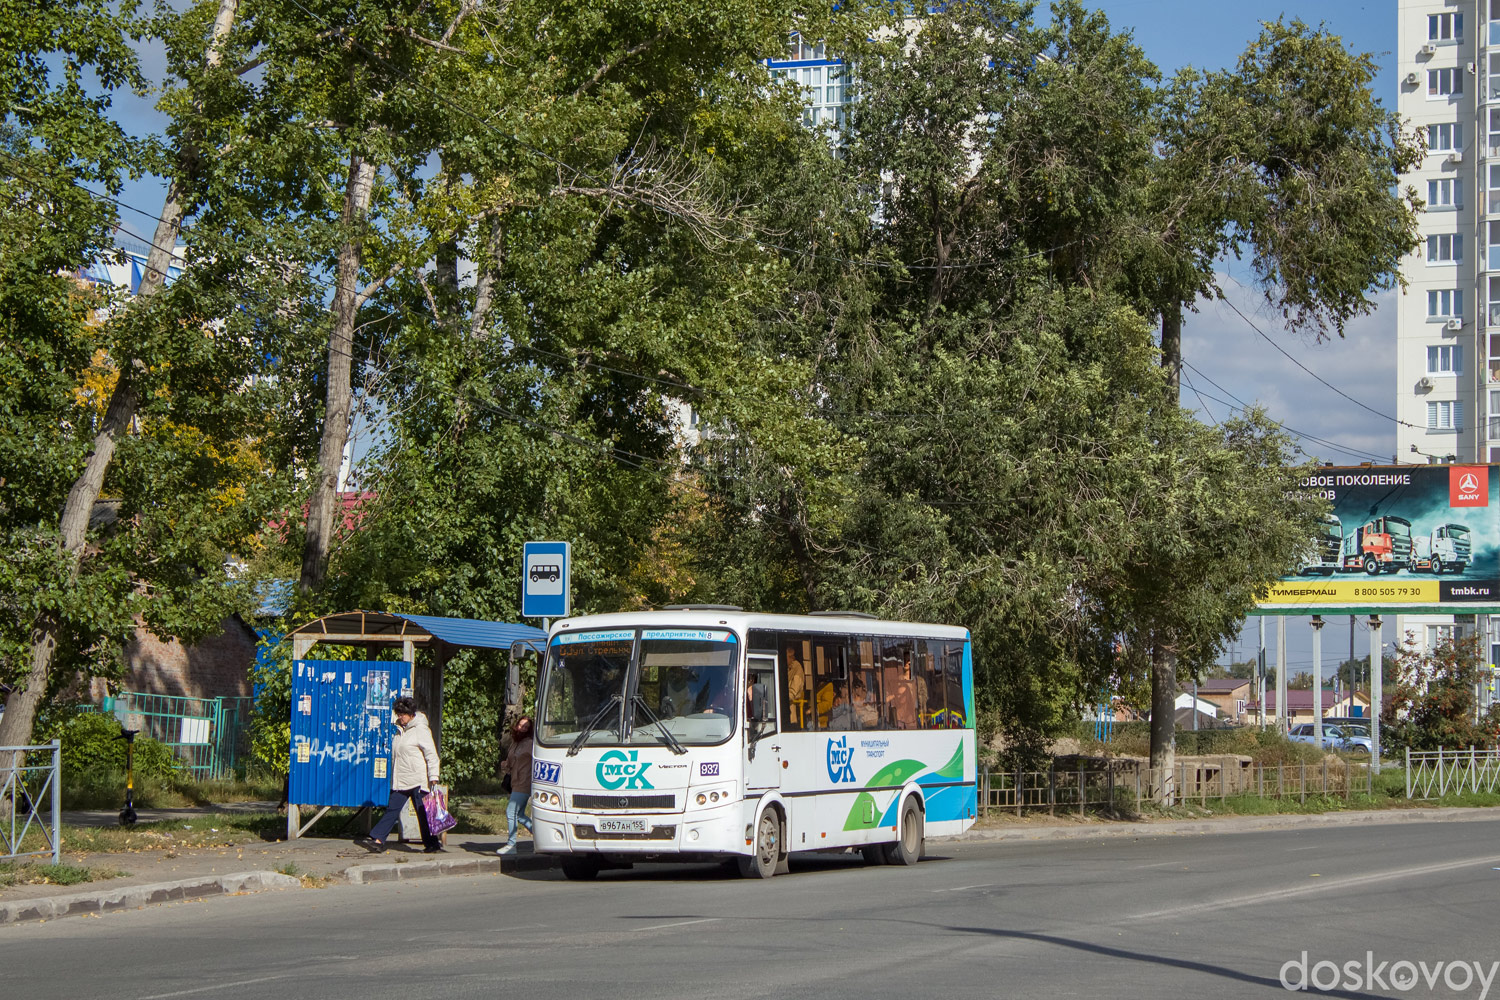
[157,475]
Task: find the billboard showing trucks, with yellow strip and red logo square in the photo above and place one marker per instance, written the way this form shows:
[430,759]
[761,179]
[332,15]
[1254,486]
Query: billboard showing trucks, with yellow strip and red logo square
[1400,539]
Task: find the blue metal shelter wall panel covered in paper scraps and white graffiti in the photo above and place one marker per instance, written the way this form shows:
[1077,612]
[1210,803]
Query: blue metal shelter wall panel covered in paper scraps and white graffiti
[341,729]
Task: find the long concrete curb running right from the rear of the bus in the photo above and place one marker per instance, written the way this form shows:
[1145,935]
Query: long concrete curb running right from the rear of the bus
[1231,825]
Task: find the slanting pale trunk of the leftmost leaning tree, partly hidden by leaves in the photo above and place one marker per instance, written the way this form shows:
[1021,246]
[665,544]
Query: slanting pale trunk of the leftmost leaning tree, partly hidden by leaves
[22,705]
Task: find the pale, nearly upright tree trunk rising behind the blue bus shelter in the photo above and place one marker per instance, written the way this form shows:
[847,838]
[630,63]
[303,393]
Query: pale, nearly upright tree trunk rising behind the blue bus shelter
[341,358]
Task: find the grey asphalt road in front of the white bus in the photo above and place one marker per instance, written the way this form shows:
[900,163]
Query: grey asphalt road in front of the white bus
[1159,917]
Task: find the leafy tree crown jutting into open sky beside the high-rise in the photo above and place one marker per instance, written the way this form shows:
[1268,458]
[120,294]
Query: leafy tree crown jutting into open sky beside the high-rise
[1289,160]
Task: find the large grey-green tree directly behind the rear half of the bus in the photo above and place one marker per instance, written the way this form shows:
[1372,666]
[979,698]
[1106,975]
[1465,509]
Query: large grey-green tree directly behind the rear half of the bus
[1022,464]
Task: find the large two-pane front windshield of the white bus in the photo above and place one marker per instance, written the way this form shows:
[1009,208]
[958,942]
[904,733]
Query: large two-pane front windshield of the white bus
[679,686]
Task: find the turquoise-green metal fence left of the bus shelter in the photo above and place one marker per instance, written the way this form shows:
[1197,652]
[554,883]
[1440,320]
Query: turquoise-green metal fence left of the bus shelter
[209,735]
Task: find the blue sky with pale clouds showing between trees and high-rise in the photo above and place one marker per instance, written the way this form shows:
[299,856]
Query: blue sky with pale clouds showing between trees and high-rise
[1229,362]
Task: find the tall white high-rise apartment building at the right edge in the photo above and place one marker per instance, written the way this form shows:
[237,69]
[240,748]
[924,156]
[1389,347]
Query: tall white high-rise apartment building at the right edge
[1448,323]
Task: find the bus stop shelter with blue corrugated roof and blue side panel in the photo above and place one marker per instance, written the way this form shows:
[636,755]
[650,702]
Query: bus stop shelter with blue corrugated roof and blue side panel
[341,708]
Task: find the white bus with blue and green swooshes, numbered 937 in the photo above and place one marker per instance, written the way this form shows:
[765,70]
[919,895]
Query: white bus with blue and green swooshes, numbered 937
[704,732]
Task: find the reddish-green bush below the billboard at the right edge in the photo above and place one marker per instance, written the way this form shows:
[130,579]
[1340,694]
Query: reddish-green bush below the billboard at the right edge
[1432,701]
